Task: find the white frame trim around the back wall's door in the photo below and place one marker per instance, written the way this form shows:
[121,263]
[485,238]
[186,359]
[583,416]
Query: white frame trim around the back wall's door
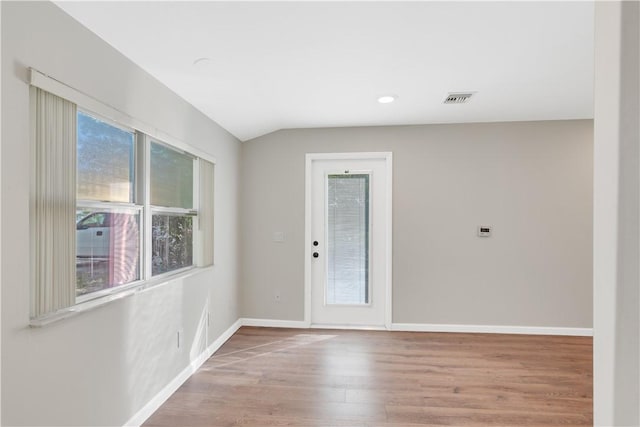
[387,156]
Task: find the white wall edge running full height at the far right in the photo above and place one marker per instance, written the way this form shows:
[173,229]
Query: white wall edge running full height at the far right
[616,214]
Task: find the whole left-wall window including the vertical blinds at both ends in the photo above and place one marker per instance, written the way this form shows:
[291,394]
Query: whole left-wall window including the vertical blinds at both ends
[112,207]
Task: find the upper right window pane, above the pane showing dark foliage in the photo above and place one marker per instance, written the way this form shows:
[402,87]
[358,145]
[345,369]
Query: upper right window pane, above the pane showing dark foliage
[171,178]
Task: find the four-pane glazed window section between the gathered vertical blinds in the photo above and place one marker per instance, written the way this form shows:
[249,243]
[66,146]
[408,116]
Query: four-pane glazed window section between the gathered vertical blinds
[108,246]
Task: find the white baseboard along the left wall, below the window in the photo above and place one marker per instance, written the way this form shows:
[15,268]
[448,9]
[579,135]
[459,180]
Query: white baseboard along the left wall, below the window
[147,410]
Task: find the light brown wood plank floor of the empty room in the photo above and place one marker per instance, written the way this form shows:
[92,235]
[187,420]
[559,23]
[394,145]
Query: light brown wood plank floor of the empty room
[299,377]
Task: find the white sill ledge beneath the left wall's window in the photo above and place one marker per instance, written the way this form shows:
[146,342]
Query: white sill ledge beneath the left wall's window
[91,304]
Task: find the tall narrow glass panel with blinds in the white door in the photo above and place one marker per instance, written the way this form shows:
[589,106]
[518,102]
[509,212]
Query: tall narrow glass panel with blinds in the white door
[348,239]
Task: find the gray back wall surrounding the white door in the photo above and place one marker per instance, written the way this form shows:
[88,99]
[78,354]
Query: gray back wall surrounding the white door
[532,181]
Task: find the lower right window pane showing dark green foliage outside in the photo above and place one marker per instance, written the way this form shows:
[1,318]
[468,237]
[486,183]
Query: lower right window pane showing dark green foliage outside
[172,242]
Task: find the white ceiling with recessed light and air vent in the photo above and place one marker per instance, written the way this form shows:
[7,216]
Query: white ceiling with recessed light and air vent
[279,65]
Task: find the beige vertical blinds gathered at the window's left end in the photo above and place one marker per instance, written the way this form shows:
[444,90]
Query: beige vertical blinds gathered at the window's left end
[54,203]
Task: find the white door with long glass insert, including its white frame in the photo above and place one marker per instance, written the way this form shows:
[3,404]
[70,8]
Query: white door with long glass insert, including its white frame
[349,238]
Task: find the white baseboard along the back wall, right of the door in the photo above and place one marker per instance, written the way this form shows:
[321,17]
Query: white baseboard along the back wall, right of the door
[492,329]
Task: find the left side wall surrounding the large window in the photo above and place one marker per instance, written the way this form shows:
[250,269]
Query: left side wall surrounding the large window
[101,367]
